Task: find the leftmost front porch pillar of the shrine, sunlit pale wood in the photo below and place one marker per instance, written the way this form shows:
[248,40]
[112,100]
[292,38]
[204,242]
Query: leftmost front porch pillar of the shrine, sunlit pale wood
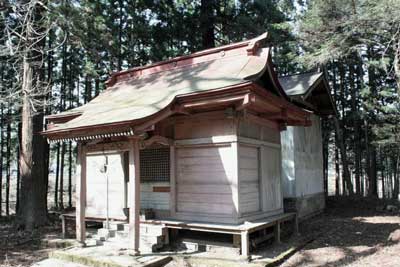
[81,194]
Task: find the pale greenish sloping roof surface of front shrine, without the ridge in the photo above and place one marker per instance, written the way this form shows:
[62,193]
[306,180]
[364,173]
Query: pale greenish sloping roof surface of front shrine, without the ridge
[145,95]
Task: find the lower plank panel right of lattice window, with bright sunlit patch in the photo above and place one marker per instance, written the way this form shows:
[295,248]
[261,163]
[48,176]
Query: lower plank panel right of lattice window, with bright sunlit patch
[204,180]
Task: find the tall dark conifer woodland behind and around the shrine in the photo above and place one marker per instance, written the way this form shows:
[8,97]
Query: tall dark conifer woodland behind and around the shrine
[56,55]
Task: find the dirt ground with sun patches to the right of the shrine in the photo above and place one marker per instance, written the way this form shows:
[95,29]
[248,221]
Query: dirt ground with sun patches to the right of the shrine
[351,233]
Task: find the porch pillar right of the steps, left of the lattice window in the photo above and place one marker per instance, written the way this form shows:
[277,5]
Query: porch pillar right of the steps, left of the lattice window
[134,210]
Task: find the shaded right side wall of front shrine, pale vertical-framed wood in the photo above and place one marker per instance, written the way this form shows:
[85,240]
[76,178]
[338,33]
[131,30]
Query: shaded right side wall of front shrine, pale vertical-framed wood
[260,190]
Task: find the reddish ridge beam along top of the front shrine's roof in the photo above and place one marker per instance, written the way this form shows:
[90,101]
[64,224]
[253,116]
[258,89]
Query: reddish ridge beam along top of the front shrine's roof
[252,47]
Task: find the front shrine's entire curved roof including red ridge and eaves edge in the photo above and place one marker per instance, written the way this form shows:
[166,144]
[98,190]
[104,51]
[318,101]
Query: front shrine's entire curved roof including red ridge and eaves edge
[139,94]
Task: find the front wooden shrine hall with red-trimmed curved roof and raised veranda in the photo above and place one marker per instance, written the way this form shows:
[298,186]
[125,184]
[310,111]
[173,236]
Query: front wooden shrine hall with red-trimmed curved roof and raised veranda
[194,139]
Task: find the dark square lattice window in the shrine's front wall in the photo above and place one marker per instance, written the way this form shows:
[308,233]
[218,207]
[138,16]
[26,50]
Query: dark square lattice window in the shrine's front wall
[154,164]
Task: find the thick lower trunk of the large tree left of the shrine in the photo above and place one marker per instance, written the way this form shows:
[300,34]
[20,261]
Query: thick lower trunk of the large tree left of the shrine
[32,211]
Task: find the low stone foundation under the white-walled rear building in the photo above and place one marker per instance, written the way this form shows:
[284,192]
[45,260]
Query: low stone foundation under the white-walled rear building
[305,206]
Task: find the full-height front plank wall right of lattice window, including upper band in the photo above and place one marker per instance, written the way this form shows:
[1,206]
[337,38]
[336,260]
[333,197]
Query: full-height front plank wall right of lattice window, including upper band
[206,168]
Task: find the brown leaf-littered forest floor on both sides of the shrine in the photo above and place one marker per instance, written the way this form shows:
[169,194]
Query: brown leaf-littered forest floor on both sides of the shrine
[350,233]
